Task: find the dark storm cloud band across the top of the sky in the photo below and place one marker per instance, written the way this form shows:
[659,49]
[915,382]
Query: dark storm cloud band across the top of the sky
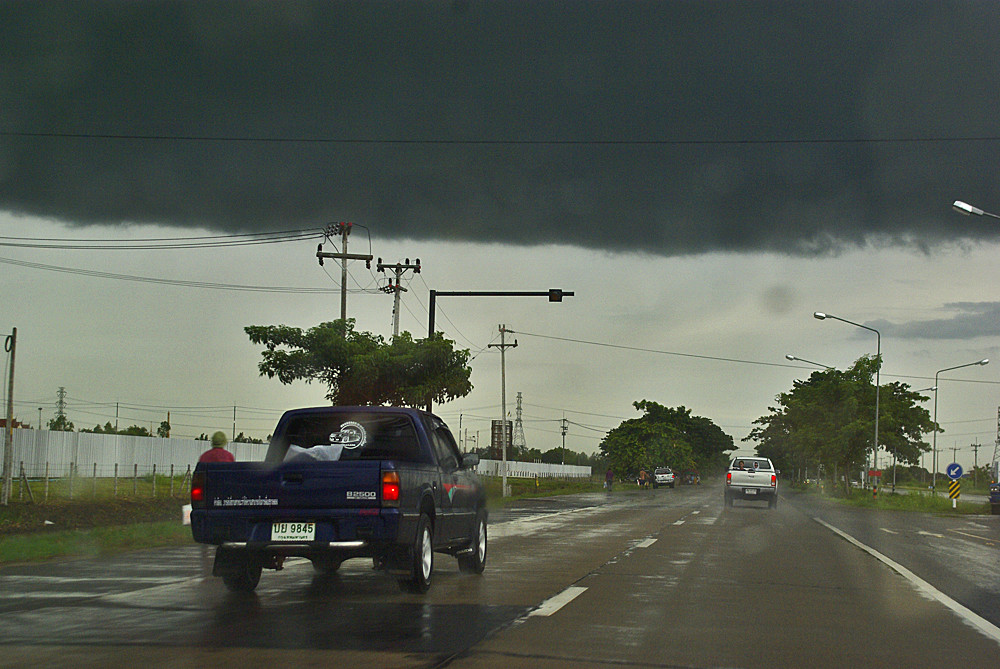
[671,127]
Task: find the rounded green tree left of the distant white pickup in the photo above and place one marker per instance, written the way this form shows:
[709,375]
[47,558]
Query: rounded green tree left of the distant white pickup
[665,436]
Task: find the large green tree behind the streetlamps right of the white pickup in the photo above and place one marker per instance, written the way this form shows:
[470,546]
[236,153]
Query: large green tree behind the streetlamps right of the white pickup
[828,420]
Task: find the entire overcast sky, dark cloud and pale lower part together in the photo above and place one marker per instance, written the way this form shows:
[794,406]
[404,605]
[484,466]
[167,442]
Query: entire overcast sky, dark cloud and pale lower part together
[704,176]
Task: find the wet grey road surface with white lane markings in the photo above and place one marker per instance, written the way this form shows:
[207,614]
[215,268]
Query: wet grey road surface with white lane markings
[662,578]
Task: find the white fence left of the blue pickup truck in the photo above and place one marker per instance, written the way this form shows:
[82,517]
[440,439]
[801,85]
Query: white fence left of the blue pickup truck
[58,450]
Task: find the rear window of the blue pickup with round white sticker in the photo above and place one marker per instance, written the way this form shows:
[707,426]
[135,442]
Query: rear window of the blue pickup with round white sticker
[345,436]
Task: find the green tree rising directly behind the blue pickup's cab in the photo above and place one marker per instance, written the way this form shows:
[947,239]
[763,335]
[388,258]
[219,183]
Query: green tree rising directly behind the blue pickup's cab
[360,368]
